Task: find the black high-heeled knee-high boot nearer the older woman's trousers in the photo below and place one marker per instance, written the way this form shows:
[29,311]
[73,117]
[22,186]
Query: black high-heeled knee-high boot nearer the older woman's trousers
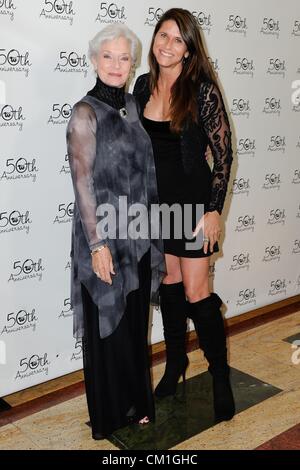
[173,307]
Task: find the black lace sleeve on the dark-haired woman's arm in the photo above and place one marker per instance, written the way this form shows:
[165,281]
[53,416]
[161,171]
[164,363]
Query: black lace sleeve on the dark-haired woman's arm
[216,125]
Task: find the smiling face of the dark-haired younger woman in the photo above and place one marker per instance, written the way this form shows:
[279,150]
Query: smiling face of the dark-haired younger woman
[169,48]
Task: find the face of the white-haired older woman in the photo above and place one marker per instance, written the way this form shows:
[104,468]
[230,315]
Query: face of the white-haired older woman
[113,62]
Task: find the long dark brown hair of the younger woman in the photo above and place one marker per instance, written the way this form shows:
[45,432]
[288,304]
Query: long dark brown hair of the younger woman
[195,69]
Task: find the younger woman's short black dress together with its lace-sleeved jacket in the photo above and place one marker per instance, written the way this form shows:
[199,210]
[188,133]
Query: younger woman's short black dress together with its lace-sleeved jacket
[183,174]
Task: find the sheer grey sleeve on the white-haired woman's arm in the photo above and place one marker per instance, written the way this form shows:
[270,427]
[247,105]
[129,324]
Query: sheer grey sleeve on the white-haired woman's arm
[81,143]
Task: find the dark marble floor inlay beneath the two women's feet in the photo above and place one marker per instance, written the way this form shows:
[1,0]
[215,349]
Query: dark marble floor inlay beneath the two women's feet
[190,412]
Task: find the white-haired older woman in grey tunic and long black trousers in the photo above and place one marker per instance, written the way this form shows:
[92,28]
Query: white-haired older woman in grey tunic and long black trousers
[113,271]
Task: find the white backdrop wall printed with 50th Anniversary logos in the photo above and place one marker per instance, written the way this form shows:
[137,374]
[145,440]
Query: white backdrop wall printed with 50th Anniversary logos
[254,47]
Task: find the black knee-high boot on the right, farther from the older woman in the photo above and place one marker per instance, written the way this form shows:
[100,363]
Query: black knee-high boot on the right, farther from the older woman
[209,326]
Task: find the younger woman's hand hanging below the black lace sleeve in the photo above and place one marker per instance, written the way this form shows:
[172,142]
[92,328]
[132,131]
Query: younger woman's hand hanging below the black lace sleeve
[210,223]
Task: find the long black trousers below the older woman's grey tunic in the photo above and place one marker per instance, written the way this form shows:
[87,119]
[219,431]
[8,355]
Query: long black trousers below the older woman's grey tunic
[116,368]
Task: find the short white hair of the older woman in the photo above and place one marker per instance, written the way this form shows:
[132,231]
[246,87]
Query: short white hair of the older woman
[111,32]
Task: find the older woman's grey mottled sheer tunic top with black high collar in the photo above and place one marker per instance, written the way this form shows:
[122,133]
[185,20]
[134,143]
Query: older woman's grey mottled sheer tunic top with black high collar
[110,156]
